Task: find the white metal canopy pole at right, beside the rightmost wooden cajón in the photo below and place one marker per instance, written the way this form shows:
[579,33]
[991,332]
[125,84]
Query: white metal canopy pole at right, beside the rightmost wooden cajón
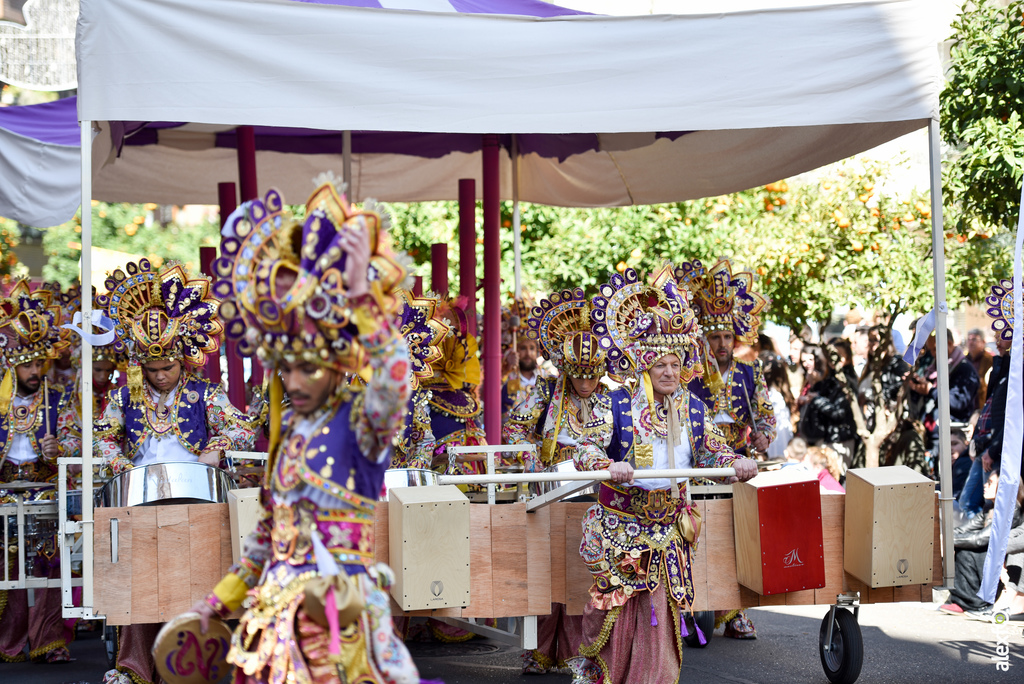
[942,354]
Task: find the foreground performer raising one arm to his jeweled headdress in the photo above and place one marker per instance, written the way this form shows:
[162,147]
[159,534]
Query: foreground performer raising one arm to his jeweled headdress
[313,552]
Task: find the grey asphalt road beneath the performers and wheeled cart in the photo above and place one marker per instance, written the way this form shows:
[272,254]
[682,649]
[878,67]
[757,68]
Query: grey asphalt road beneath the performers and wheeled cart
[904,645]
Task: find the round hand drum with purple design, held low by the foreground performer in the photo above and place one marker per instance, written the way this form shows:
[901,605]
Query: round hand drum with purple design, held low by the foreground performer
[186,657]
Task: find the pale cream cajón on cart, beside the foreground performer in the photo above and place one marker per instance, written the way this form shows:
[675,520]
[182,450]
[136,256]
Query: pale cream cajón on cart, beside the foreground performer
[429,531]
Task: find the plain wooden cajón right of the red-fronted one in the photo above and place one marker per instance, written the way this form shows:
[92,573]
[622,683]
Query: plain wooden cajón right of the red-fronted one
[890,518]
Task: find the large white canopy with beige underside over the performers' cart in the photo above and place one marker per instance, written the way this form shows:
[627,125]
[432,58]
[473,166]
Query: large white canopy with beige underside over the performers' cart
[680,107]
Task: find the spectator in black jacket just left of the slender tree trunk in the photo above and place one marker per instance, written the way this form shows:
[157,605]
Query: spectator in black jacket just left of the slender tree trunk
[826,414]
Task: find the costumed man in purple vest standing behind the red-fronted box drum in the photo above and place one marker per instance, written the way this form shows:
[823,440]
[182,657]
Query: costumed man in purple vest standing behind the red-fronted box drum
[730,313]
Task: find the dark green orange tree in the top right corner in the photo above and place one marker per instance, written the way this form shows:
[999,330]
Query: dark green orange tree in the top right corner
[982,109]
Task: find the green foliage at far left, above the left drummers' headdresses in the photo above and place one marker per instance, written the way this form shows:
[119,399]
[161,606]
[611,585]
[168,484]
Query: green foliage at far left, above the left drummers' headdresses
[124,228]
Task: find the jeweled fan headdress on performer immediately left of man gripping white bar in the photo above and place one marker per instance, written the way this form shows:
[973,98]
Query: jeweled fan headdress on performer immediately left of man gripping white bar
[562,325]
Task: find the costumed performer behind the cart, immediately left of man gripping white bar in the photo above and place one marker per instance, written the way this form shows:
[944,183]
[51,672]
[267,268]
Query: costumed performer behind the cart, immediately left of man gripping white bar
[558,414]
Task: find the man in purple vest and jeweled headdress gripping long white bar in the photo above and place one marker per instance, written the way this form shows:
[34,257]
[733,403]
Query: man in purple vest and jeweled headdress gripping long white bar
[637,542]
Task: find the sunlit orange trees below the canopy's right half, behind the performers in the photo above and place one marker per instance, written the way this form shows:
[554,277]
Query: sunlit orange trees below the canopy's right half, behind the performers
[837,241]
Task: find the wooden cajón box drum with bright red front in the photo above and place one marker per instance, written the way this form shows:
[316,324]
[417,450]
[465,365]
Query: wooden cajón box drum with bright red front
[778,525]
